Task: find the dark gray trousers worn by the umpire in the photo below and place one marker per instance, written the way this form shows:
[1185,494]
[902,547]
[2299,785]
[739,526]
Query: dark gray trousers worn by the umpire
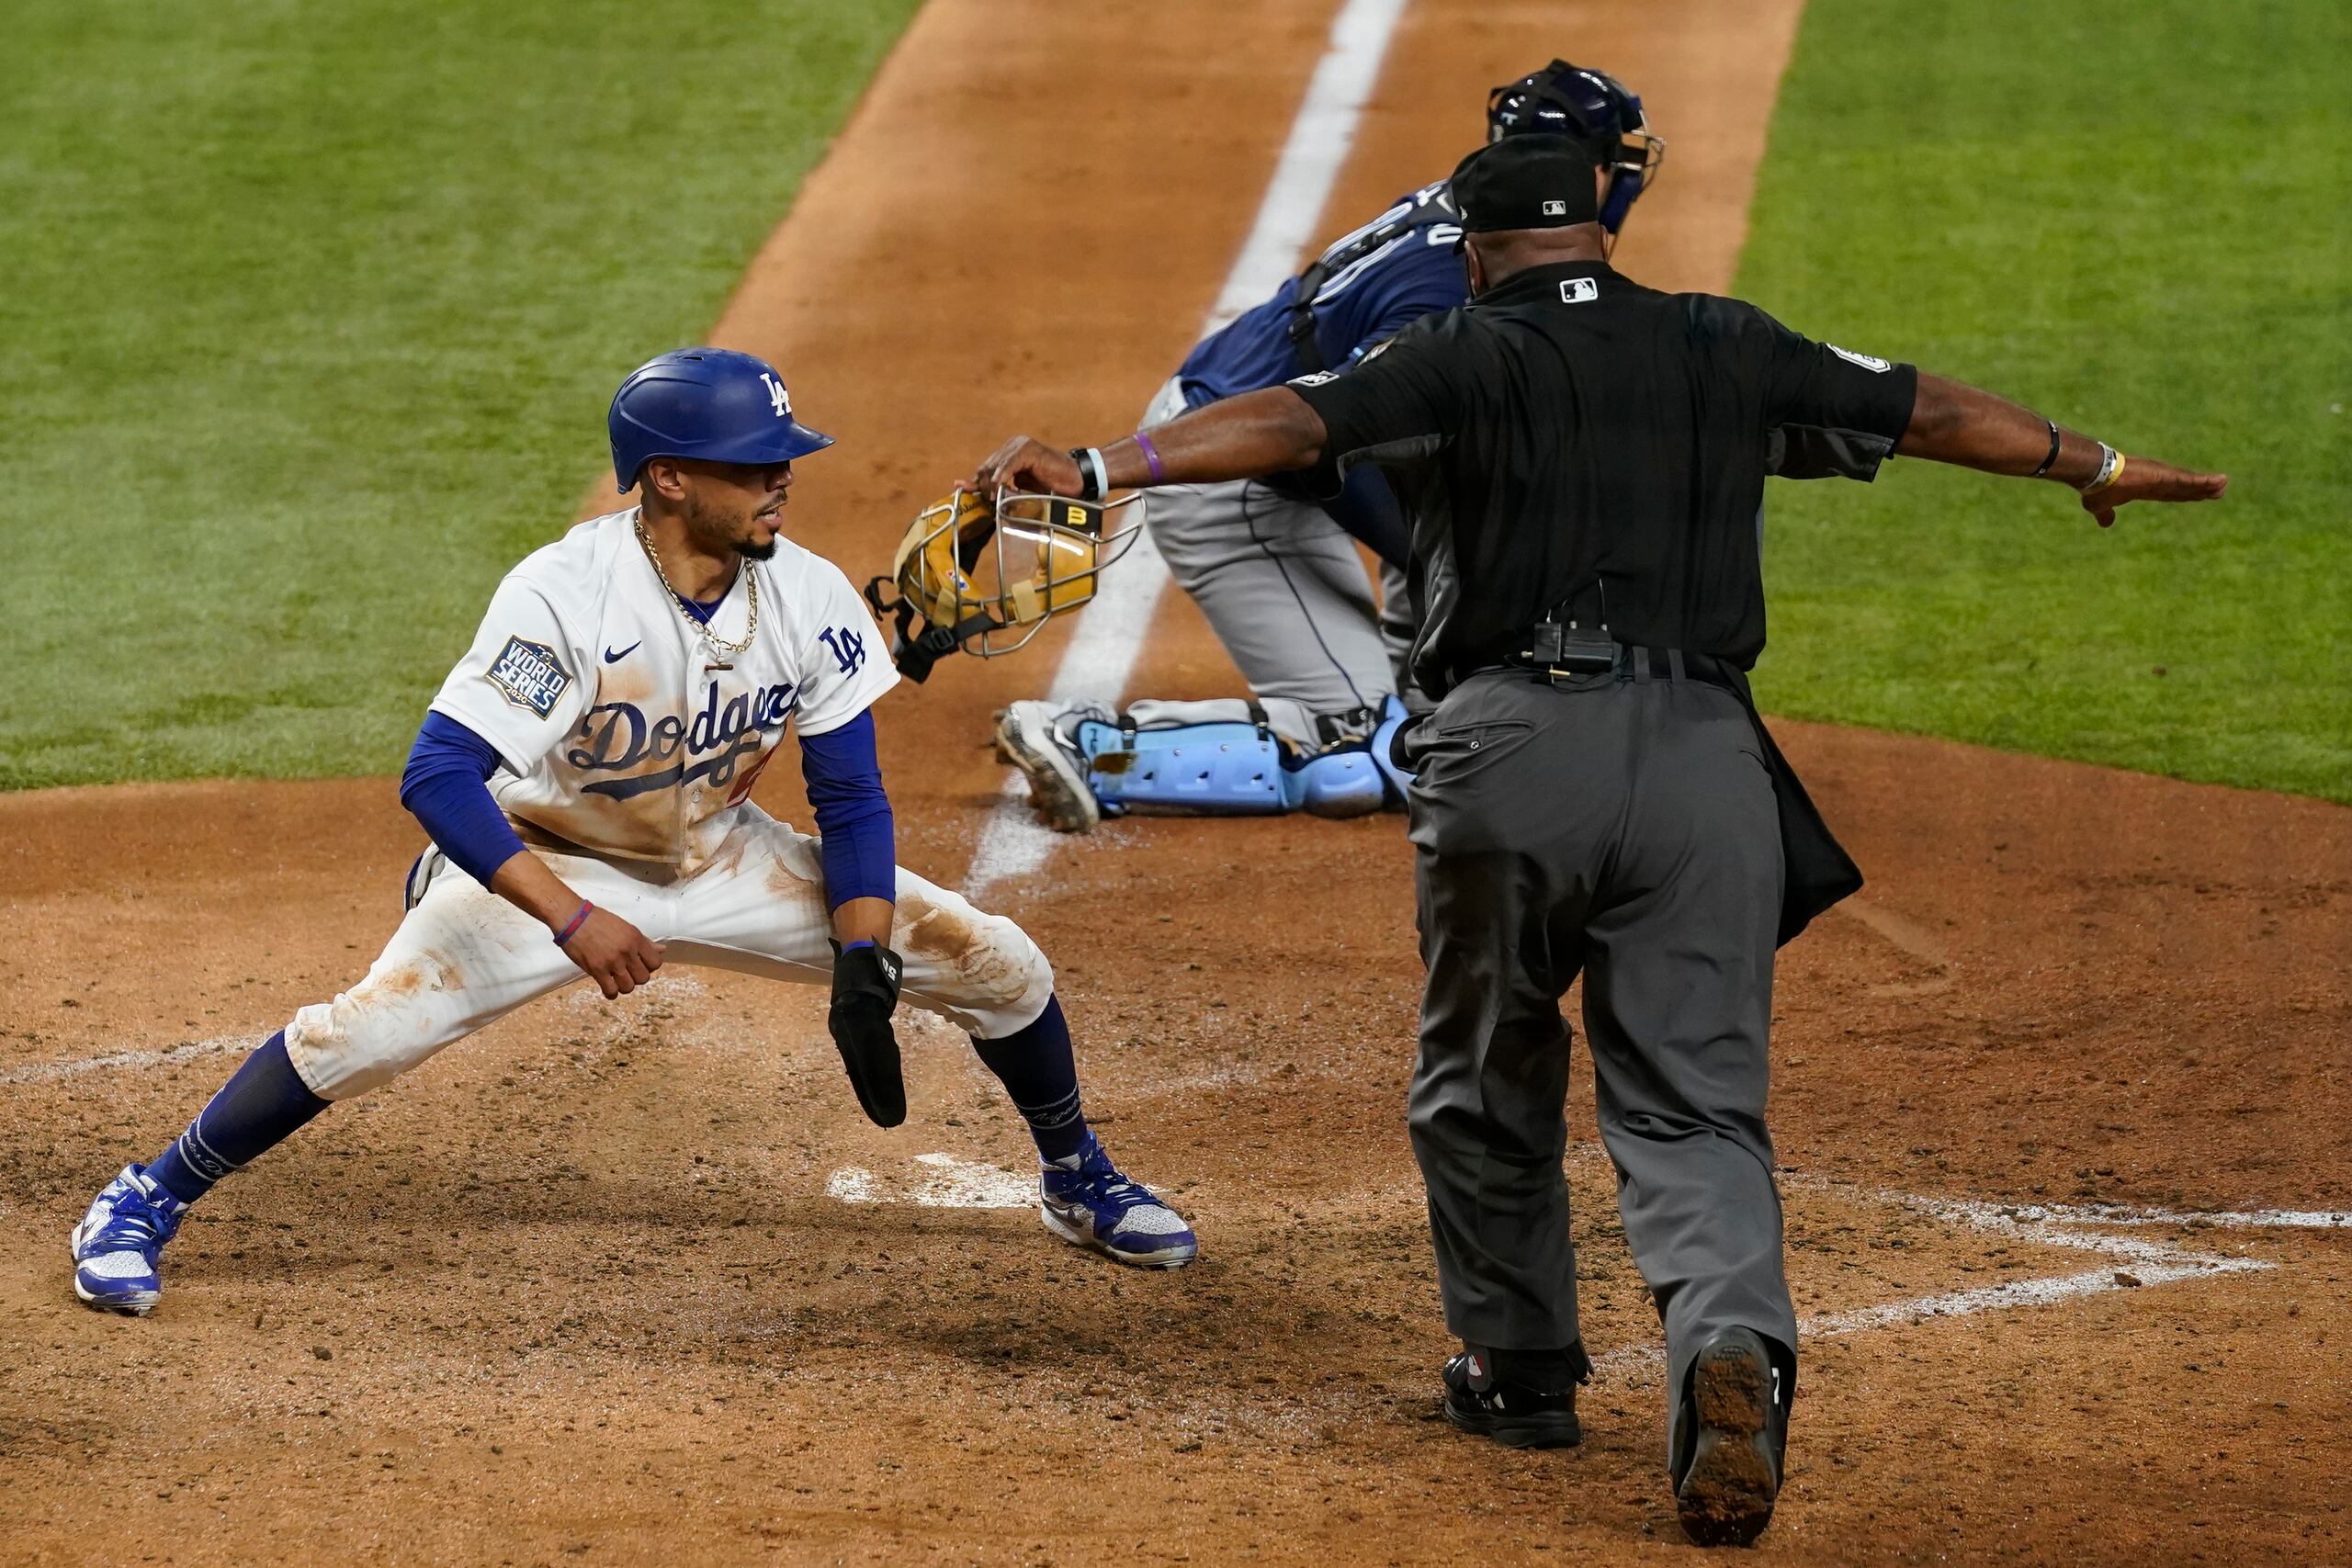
[1622,829]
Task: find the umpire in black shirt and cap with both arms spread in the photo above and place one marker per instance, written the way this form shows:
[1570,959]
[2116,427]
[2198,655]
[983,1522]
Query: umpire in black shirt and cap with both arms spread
[1584,462]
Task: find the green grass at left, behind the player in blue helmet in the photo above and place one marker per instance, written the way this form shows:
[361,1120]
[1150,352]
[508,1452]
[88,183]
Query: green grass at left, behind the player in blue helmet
[307,323]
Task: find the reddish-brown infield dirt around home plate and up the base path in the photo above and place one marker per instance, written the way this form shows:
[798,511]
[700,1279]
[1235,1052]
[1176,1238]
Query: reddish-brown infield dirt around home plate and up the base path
[629,1282]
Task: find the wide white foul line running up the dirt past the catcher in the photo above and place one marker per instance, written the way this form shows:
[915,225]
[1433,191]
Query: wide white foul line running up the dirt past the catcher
[1102,655]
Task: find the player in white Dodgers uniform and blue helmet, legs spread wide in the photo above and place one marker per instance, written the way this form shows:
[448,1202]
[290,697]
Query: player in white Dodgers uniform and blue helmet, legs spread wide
[587,775]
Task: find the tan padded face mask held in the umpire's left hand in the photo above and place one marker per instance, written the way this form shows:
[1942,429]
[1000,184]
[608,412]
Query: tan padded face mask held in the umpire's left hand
[984,575]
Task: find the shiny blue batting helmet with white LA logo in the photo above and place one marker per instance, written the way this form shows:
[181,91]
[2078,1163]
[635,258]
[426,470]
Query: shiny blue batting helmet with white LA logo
[704,403]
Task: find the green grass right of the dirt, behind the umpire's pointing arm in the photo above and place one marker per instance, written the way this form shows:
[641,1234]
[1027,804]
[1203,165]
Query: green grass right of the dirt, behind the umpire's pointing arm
[2134,217]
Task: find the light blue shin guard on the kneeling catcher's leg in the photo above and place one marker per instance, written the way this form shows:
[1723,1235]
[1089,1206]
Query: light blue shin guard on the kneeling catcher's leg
[1234,770]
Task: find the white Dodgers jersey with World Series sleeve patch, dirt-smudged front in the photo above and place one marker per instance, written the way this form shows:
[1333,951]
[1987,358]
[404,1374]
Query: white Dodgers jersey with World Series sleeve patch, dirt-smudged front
[622,730]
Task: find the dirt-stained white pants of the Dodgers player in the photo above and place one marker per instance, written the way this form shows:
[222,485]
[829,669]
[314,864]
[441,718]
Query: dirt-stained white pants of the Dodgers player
[467,958]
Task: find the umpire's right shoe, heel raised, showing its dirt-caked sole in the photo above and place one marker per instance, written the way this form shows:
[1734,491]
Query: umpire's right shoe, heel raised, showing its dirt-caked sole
[1732,1440]
